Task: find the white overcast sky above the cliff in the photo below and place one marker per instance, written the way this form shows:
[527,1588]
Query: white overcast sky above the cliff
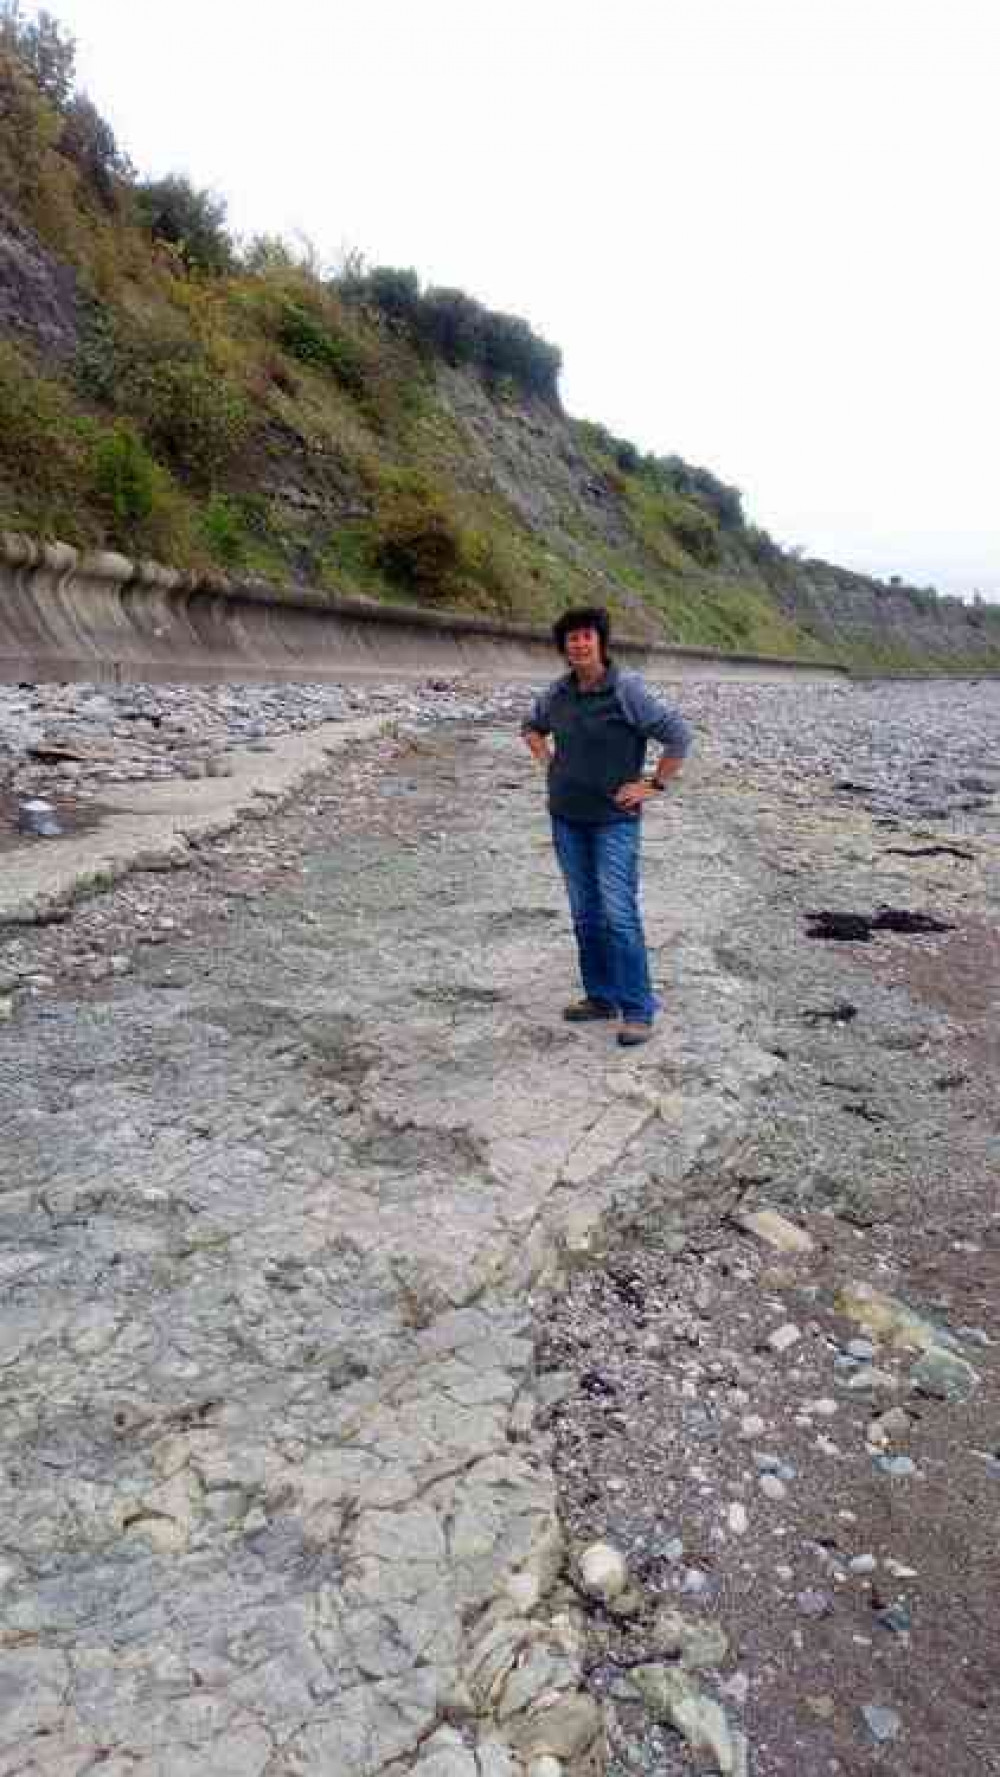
[763,232]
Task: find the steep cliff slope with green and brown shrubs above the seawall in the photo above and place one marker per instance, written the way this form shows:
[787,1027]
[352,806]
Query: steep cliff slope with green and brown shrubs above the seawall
[223,404]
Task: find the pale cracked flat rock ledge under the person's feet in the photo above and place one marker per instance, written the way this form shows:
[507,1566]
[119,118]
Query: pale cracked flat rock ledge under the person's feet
[280,1193]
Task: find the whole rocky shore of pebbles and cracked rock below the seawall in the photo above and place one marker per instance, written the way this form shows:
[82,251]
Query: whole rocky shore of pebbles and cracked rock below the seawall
[353,1300]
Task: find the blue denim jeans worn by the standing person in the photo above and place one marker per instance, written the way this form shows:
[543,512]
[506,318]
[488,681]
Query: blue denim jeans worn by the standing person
[601,866]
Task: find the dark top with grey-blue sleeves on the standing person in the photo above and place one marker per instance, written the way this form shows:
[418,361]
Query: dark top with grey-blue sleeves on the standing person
[601,742]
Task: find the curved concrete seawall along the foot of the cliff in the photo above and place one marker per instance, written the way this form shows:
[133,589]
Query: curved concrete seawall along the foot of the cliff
[100,618]
